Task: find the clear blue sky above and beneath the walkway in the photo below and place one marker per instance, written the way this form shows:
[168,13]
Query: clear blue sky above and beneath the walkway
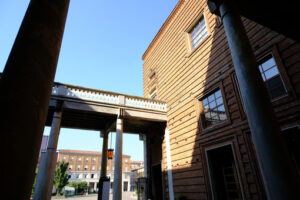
[102,48]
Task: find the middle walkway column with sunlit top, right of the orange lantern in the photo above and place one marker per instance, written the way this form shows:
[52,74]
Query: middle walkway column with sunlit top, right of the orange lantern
[117,187]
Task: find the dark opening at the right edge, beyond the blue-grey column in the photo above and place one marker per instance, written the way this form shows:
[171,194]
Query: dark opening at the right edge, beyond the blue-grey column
[292,139]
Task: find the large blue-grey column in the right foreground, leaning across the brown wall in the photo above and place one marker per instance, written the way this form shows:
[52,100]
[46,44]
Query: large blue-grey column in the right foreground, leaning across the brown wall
[276,168]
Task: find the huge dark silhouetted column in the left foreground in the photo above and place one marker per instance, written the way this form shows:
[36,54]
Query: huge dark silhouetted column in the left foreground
[25,88]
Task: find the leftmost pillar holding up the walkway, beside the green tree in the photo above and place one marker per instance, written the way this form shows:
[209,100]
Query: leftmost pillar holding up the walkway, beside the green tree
[44,181]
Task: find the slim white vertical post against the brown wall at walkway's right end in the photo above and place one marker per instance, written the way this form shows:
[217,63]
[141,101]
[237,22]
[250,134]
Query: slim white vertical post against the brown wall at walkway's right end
[169,165]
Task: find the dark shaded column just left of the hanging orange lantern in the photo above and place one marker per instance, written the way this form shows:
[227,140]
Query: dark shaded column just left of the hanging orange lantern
[103,171]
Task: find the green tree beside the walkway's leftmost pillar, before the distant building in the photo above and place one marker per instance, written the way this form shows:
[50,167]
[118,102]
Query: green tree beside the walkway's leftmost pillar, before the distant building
[61,177]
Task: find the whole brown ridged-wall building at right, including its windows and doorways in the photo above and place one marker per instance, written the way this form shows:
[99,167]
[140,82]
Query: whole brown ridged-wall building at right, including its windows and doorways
[188,65]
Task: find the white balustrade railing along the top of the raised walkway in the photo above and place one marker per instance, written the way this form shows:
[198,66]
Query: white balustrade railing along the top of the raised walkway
[106,97]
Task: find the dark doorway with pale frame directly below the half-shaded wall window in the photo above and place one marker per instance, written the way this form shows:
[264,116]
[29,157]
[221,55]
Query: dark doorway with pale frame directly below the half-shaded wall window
[223,174]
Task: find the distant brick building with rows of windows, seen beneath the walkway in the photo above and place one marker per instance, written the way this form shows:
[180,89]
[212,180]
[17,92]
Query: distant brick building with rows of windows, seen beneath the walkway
[86,166]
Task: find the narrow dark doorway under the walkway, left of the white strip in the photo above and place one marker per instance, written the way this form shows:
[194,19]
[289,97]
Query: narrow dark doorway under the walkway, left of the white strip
[157,182]
